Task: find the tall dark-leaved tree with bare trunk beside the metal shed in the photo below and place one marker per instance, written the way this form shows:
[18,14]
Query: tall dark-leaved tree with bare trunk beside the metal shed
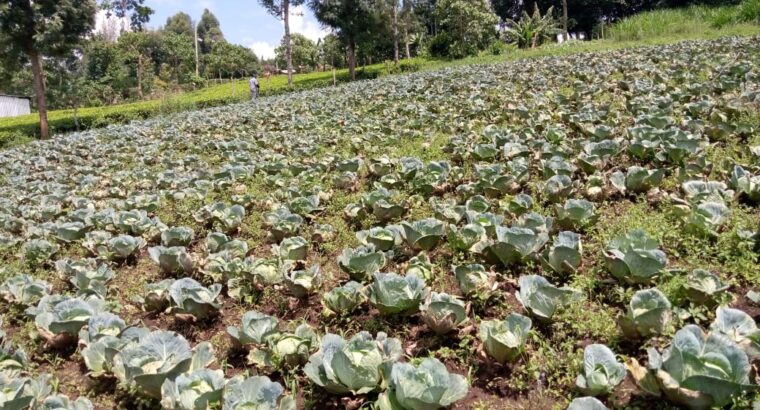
[33,29]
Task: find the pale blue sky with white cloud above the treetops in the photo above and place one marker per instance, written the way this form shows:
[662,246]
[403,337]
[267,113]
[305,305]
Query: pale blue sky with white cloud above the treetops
[243,22]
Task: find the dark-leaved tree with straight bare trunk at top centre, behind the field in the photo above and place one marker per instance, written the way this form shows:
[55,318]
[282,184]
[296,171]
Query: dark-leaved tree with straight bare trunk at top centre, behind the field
[352,19]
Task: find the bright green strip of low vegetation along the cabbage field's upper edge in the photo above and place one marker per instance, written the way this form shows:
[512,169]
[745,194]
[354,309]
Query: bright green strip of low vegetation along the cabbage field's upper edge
[653,28]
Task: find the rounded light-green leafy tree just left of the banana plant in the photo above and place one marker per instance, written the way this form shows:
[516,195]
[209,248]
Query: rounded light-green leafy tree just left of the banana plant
[468,25]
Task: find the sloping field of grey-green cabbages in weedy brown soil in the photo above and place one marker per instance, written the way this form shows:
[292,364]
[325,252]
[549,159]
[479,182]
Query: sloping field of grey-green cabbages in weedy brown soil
[572,232]
